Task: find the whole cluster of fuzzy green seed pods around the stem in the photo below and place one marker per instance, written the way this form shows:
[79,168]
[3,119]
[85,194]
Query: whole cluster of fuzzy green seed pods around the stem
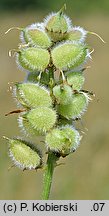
[53,54]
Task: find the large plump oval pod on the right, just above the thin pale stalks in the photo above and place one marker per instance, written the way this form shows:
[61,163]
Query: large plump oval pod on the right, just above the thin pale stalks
[69,55]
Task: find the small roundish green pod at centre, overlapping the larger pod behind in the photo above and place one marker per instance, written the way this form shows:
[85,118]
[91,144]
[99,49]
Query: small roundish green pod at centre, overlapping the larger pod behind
[63,93]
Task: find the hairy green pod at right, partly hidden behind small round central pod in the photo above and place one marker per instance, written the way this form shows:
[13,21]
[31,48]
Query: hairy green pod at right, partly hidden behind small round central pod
[75,108]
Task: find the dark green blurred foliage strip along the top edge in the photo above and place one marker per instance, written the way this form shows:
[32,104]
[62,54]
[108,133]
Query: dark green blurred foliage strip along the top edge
[78,6]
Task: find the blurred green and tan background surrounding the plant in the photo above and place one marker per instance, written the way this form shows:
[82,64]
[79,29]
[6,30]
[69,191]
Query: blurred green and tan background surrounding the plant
[85,174]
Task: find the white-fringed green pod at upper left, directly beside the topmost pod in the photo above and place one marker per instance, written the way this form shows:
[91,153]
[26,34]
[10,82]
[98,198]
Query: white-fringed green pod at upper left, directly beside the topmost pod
[35,36]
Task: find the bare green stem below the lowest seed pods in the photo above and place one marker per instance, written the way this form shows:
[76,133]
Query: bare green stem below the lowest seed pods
[47,181]
